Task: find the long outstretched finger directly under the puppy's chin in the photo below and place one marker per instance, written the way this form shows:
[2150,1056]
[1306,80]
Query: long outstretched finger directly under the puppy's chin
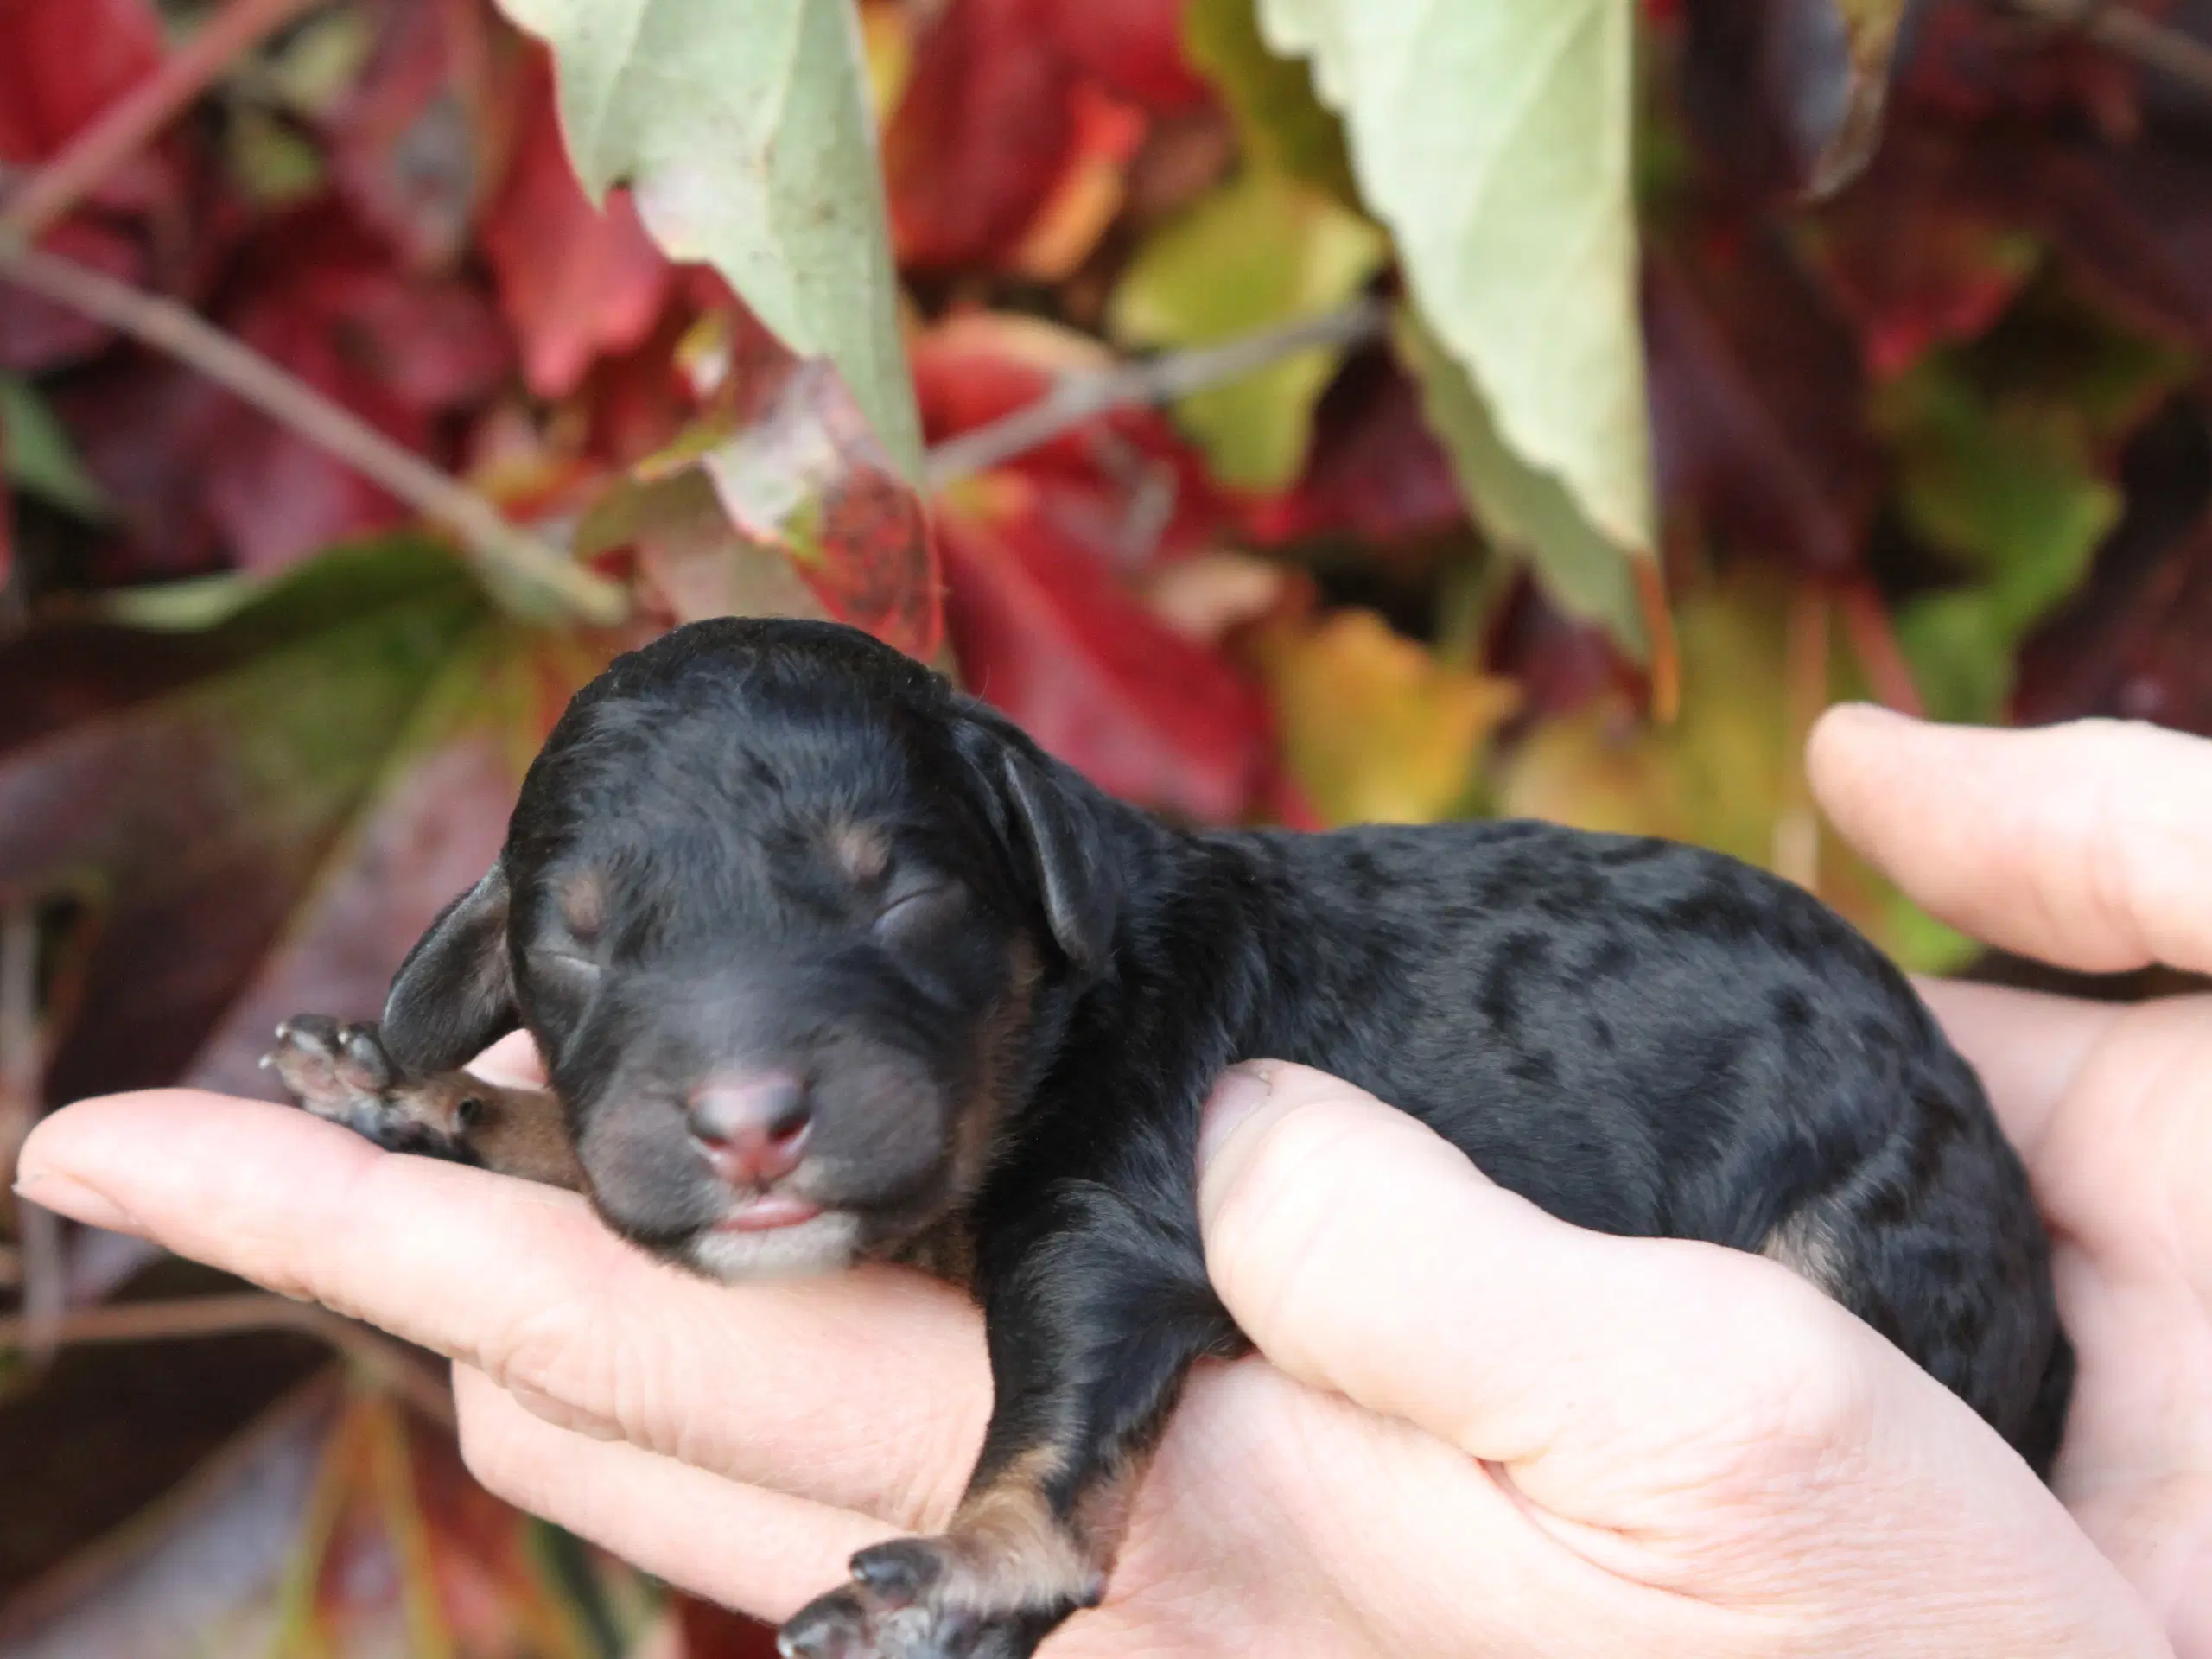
[864,1390]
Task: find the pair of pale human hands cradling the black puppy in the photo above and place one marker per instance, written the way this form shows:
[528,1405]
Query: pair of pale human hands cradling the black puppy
[1470,1430]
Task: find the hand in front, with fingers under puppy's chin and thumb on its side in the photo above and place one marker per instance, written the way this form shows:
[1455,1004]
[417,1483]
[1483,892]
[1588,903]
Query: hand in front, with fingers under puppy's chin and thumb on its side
[1700,1454]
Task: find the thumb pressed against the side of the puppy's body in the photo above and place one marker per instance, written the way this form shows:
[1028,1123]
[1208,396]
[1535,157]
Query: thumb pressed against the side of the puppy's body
[1366,1255]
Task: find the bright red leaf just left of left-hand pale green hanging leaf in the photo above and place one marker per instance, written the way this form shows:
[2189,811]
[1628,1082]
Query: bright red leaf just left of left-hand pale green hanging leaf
[574,282]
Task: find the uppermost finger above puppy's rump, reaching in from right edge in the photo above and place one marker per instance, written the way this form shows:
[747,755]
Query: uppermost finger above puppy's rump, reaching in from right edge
[2083,846]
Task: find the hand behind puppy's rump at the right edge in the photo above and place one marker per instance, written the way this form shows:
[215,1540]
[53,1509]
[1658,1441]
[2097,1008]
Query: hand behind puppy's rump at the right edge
[2087,846]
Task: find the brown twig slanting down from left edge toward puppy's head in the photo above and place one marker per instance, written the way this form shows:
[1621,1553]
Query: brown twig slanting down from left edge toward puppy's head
[512,559]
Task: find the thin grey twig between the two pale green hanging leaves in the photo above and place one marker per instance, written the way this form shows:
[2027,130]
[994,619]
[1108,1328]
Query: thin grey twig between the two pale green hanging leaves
[1085,397]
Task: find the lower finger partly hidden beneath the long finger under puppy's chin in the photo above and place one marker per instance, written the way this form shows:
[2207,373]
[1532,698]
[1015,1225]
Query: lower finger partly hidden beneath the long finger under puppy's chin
[760,1552]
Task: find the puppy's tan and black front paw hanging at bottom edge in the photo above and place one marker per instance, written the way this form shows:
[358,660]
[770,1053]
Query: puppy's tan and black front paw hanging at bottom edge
[924,1598]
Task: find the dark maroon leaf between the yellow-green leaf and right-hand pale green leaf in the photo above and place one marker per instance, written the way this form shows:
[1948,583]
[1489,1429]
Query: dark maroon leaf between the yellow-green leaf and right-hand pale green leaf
[1375,468]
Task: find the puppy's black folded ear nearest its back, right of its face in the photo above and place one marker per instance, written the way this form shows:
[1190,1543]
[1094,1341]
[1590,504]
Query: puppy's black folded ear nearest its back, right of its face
[1052,828]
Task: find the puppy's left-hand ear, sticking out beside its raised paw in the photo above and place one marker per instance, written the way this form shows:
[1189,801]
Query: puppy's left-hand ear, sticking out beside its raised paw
[455,994]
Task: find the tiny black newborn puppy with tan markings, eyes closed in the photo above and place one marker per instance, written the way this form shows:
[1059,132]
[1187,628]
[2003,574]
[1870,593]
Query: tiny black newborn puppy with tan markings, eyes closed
[828,961]
